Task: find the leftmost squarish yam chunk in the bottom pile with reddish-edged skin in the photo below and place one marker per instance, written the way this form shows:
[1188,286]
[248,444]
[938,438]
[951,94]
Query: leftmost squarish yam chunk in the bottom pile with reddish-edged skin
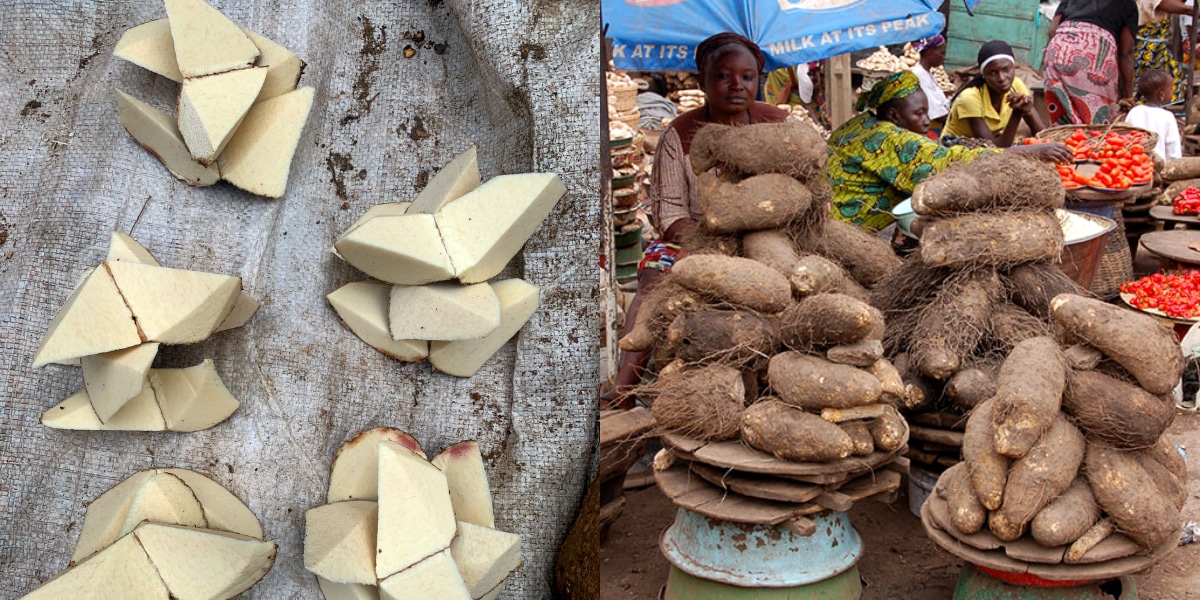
[340,542]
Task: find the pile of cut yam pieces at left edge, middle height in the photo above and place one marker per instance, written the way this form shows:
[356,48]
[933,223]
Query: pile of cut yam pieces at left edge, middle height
[112,327]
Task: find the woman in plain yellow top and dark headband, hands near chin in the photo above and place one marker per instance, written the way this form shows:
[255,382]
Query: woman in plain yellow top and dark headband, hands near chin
[995,103]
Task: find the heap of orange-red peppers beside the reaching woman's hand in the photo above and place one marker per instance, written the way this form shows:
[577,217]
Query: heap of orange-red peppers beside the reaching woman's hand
[1123,160]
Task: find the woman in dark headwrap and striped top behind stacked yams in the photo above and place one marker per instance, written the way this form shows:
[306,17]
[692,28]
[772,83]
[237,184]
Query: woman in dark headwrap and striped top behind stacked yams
[729,67]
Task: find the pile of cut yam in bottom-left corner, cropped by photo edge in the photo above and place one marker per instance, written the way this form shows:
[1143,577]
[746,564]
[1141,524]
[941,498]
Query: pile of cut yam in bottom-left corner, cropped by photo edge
[163,535]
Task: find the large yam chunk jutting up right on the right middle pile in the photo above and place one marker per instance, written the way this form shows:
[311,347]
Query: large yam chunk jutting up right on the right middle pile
[485,229]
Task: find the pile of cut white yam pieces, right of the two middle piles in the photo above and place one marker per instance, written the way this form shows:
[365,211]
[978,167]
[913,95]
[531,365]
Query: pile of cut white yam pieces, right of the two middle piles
[433,261]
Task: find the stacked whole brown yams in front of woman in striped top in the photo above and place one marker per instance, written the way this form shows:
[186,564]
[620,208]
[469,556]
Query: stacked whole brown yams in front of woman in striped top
[763,329]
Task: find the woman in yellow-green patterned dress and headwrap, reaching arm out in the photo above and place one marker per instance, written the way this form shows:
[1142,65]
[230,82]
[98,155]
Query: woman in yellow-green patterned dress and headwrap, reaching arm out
[878,158]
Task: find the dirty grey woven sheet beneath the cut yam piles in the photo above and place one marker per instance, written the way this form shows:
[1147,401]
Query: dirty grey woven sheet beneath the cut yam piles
[520,80]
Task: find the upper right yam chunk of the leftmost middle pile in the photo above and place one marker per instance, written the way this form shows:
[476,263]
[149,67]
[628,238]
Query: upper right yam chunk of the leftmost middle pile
[176,305]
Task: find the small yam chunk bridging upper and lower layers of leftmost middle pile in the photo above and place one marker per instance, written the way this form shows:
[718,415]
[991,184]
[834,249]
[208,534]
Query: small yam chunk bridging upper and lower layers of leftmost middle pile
[113,379]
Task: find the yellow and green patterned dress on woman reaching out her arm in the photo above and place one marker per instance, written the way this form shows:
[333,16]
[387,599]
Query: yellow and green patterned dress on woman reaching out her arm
[875,165]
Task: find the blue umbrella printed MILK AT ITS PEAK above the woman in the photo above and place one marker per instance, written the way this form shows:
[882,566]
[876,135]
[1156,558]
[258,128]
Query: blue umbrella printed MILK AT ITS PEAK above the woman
[662,35]
